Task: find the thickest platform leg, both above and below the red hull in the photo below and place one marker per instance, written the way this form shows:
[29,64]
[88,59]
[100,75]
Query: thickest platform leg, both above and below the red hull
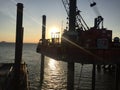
[72,20]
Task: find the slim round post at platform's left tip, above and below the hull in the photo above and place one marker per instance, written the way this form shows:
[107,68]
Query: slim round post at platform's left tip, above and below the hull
[43,43]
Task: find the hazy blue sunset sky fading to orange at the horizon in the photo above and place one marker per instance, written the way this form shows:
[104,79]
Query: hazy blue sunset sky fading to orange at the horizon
[56,17]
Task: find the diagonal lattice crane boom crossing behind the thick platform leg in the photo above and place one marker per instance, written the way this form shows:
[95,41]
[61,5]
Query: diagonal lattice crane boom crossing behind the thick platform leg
[80,23]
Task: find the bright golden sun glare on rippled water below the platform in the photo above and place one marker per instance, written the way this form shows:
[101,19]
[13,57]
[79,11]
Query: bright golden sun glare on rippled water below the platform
[55,75]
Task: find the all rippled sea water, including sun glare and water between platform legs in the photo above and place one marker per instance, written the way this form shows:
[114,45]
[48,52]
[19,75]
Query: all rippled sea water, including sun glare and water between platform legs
[55,76]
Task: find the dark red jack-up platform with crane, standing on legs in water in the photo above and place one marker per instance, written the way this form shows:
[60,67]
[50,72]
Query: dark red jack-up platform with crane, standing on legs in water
[92,46]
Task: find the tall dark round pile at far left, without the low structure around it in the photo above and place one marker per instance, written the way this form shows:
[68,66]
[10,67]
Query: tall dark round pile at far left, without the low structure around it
[18,45]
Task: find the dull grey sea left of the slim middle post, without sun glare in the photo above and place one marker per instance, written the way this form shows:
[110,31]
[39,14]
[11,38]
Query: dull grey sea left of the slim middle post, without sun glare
[7,55]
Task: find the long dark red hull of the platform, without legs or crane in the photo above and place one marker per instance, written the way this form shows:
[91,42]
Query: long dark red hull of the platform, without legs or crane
[81,55]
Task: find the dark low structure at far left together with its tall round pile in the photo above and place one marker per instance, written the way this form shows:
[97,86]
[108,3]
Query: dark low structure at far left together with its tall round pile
[13,76]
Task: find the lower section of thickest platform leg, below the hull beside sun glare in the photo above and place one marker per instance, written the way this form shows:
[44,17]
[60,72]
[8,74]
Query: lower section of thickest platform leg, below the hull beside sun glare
[70,76]
